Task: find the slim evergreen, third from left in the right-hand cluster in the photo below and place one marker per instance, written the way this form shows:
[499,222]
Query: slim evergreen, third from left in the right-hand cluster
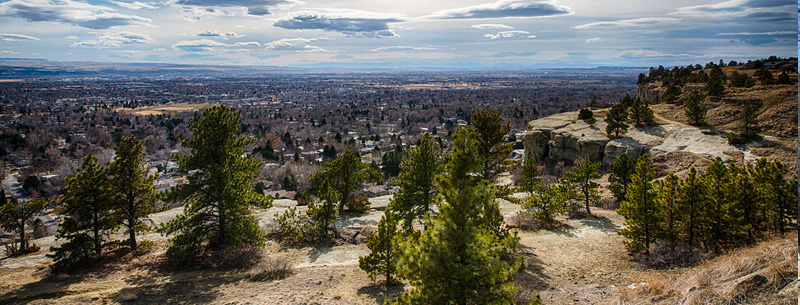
[690,201]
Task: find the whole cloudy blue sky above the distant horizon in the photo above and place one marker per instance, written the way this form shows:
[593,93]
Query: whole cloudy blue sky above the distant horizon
[475,34]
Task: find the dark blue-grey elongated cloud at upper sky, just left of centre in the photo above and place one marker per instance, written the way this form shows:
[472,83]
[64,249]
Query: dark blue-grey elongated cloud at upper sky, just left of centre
[349,22]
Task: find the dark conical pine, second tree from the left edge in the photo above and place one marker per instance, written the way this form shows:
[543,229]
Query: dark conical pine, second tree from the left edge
[87,203]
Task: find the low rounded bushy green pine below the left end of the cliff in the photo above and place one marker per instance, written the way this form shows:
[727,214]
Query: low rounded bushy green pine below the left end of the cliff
[548,200]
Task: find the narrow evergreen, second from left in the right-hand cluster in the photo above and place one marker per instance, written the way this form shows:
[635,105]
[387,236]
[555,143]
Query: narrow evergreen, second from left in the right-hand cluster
[668,191]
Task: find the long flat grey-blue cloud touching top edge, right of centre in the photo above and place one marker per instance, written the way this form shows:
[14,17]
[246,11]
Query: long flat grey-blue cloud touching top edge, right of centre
[505,9]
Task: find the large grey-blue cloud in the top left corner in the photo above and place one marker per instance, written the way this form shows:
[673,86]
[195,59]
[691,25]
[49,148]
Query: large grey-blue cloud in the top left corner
[68,11]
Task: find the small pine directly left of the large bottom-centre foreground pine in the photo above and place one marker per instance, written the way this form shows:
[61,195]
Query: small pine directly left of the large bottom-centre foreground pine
[383,258]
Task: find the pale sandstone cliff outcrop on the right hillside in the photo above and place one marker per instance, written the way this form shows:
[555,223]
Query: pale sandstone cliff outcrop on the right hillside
[564,137]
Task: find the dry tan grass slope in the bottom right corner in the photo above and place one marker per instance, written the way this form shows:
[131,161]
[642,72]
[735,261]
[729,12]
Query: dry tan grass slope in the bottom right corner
[755,274]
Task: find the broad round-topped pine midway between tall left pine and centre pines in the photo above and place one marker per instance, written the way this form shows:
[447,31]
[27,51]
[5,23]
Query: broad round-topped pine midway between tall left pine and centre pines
[344,175]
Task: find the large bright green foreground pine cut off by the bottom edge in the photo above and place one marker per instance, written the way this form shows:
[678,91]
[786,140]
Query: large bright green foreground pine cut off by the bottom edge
[459,259]
